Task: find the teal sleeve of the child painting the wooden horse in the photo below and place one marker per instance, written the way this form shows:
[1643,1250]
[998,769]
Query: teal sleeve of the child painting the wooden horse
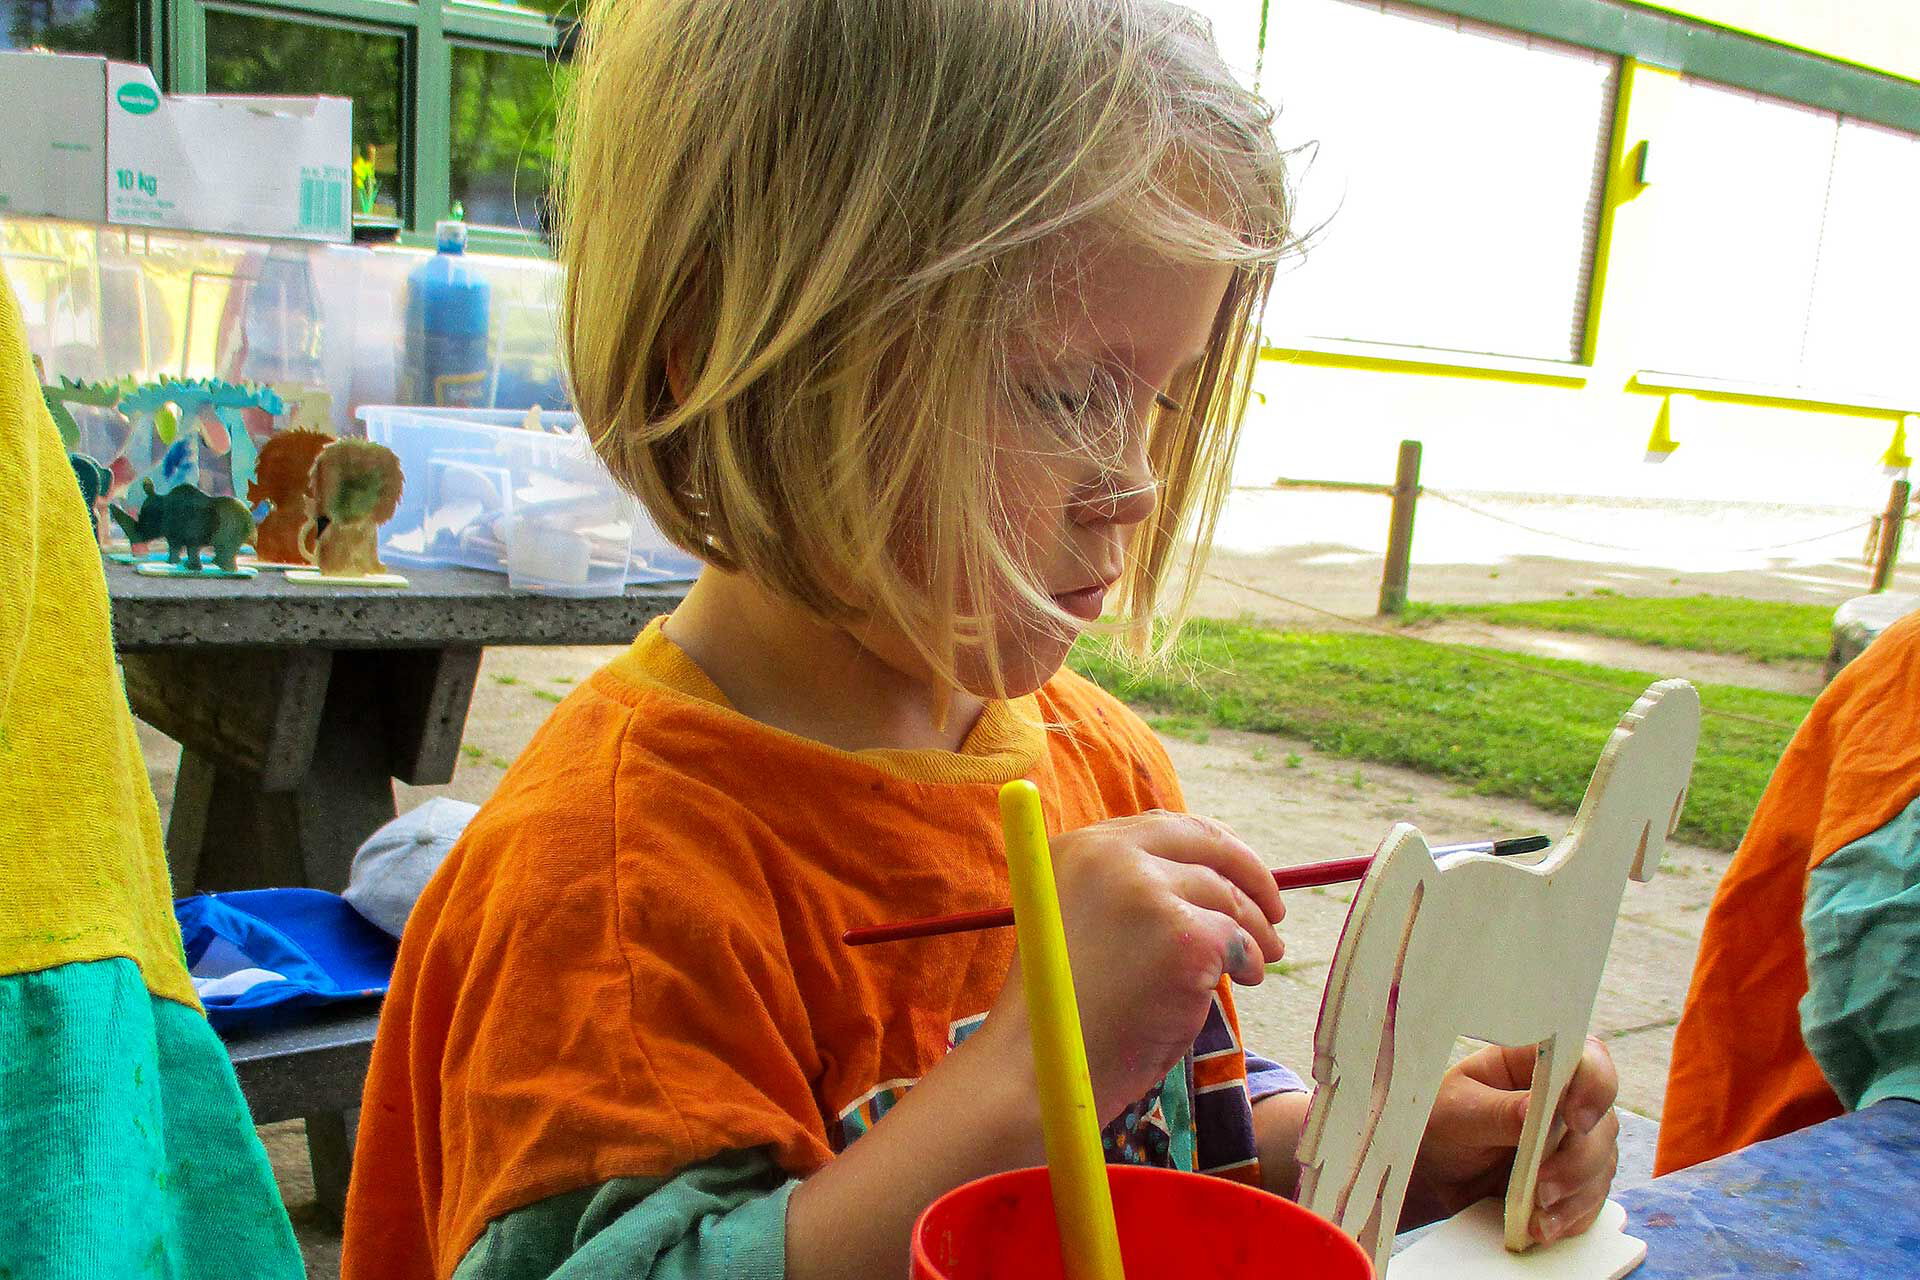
[723,1218]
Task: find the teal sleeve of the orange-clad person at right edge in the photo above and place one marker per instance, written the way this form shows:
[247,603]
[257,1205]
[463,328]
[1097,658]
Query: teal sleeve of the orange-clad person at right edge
[1861,1014]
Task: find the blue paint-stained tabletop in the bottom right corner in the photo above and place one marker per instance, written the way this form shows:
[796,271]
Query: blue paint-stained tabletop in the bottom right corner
[1836,1200]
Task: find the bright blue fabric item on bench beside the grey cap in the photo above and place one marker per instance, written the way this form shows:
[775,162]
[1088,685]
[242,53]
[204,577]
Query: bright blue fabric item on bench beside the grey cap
[312,947]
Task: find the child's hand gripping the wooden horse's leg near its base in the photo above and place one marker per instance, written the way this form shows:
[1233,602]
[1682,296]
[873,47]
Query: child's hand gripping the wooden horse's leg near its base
[1476,1126]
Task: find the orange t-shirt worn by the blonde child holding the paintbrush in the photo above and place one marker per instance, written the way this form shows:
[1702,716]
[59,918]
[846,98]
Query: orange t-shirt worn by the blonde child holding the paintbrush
[633,960]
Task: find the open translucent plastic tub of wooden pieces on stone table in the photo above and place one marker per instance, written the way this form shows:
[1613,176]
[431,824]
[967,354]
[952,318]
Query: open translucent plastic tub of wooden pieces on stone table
[487,488]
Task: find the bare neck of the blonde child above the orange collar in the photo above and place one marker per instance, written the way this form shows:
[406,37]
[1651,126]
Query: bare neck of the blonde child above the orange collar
[782,667]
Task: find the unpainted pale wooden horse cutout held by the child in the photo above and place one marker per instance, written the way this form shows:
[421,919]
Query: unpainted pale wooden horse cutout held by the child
[1485,949]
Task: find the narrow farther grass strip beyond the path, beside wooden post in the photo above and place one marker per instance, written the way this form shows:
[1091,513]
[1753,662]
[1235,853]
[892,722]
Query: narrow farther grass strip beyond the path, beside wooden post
[1764,630]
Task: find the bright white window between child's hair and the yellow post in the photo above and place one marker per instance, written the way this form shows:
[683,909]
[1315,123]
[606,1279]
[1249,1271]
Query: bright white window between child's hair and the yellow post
[1454,174]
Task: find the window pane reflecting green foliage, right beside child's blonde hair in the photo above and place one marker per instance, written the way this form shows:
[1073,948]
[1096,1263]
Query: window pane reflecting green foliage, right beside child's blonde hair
[500,124]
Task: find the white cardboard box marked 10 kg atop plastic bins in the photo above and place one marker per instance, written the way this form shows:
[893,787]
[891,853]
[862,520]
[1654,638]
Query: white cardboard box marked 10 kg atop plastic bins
[103,145]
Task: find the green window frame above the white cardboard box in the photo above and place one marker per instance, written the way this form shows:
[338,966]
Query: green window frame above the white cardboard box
[427,30]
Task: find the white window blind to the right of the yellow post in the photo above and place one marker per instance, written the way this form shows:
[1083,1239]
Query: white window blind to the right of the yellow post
[1785,250]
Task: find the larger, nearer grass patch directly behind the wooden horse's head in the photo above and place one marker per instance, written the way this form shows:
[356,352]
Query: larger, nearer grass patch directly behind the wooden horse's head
[1452,713]
